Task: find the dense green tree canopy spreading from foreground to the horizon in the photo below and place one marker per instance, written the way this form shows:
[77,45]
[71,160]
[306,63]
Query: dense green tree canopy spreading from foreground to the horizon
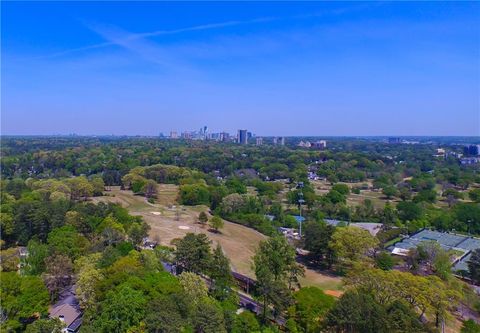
[46,190]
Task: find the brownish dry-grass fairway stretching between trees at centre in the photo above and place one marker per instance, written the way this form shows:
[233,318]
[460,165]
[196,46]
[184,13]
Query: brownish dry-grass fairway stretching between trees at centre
[169,221]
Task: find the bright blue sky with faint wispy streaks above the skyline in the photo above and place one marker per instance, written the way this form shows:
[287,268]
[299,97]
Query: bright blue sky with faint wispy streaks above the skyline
[313,68]
